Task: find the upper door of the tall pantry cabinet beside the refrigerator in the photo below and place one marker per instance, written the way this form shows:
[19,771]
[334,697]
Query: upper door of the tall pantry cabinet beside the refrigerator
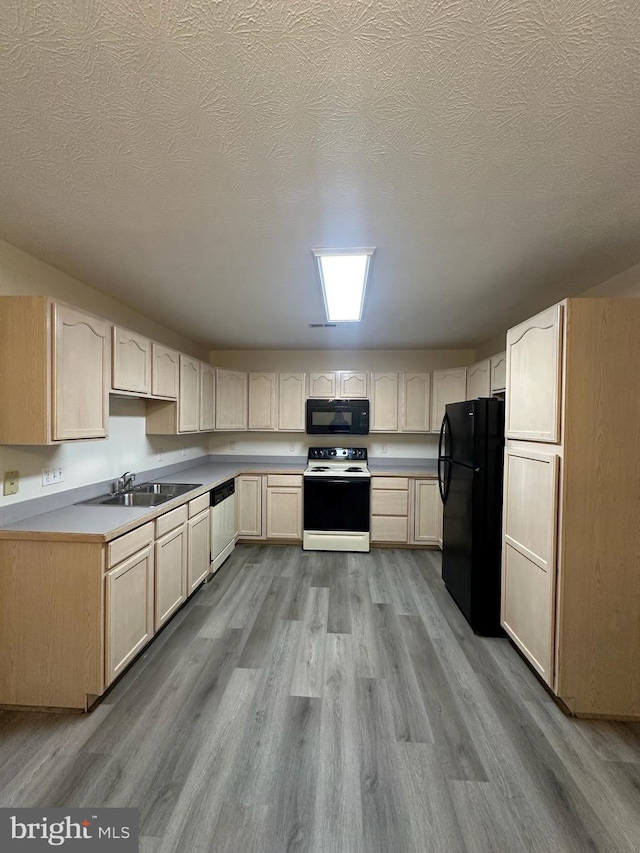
[534,351]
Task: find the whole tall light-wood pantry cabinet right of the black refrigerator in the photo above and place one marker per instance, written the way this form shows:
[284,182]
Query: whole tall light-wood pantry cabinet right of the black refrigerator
[571,551]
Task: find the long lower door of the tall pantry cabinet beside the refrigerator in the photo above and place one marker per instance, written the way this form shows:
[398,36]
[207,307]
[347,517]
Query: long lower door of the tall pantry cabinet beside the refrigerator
[529,555]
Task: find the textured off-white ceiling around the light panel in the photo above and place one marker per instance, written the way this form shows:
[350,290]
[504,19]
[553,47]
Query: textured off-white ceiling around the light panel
[185,156]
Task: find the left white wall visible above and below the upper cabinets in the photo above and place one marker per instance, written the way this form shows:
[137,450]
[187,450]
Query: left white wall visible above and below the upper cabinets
[127,448]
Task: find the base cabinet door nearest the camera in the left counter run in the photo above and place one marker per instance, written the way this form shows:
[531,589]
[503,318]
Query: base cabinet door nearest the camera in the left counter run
[129,610]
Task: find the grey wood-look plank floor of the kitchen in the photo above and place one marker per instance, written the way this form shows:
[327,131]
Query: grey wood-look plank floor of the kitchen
[335,703]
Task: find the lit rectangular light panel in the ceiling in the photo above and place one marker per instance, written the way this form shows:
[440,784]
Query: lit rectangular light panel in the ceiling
[343,275]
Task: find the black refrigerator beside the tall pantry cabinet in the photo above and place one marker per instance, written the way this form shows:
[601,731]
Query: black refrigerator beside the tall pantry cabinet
[470,460]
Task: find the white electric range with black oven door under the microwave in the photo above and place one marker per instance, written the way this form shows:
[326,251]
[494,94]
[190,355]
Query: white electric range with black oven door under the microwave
[337,500]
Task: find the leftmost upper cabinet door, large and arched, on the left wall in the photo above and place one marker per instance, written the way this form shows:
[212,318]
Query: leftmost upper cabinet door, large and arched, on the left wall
[81,367]
